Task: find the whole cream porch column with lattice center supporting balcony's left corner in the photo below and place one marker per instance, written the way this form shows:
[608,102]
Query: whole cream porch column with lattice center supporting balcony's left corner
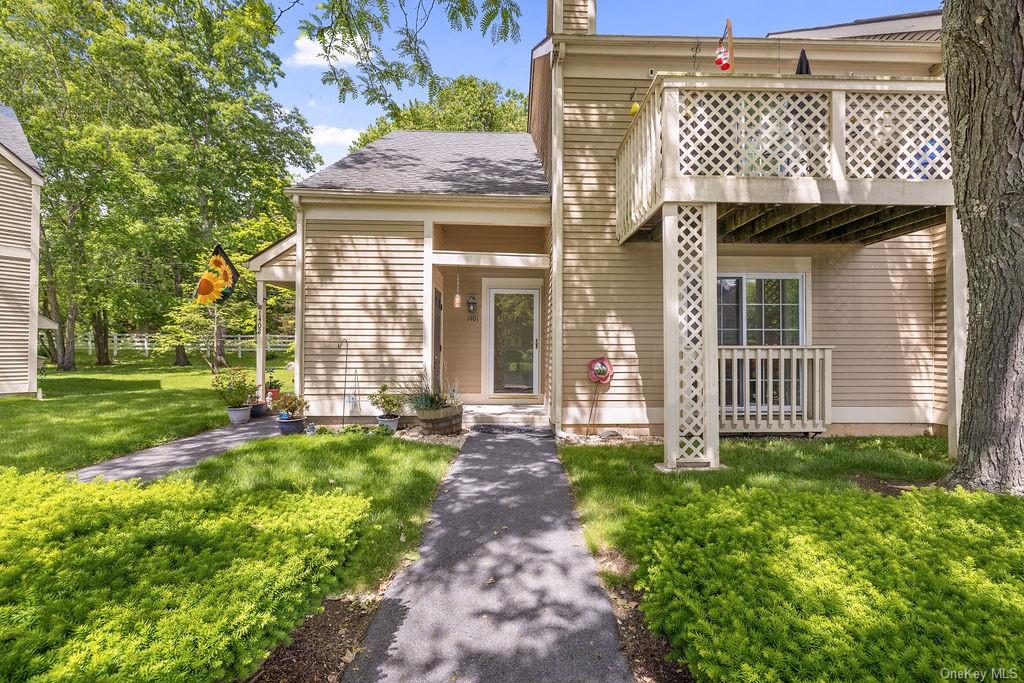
[690,266]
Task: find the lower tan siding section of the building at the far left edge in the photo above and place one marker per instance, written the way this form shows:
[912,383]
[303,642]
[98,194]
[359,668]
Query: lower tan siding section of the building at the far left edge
[16,297]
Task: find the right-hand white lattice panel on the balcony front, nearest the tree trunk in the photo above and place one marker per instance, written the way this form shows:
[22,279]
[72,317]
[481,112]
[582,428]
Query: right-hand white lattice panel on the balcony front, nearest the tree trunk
[899,137]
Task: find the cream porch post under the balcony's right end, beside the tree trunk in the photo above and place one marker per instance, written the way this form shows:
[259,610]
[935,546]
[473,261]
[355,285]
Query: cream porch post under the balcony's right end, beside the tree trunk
[957,310]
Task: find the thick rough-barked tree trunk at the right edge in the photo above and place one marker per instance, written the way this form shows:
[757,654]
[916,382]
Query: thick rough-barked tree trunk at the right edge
[984,55]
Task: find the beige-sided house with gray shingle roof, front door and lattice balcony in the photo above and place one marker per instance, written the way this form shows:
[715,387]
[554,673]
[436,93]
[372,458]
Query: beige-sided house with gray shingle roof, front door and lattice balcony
[789,240]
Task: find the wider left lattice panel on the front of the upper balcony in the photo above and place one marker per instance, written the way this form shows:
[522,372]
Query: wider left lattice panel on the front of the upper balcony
[754,135]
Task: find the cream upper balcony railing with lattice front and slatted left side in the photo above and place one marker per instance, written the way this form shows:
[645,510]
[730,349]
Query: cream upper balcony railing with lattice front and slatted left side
[780,127]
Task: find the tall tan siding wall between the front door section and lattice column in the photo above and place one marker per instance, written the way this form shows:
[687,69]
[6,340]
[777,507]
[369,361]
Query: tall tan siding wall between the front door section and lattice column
[612,295]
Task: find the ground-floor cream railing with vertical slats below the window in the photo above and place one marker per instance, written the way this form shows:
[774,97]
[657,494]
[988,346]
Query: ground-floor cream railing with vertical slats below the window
[771,390]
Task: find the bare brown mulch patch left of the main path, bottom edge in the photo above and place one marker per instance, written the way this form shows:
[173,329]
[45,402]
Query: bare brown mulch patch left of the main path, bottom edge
[323,646]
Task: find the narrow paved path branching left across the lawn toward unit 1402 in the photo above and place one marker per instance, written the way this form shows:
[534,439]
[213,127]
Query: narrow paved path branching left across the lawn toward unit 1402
[160,460]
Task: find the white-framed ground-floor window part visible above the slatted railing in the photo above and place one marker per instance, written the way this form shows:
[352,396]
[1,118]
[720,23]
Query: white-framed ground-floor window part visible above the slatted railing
[761,311]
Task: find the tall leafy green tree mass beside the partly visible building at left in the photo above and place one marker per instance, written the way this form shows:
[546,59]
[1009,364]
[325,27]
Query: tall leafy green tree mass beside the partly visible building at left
[158,138]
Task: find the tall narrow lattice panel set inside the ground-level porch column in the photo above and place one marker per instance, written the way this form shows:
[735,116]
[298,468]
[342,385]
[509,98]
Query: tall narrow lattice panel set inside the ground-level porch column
[693,391]
